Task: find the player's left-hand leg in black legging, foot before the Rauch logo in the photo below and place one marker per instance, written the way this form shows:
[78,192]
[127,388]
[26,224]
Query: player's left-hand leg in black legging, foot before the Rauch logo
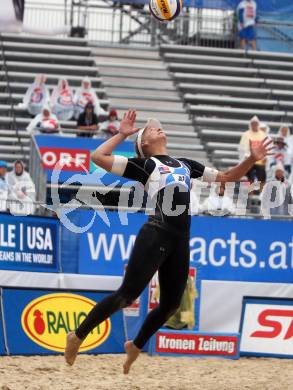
[145,259]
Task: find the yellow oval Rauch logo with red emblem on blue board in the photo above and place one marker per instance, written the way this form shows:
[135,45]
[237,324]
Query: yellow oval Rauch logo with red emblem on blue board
[47,319]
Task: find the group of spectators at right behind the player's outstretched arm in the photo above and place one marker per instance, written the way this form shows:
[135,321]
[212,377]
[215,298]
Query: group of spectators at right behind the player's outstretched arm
[278,167]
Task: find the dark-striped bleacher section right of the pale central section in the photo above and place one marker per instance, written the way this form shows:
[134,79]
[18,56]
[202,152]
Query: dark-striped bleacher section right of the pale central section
[223,89]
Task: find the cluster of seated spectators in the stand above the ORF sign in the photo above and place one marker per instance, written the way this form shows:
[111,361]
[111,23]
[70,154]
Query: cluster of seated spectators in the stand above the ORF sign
[63,105]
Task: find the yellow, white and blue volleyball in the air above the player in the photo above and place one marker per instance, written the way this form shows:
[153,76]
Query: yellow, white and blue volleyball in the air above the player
[165,10]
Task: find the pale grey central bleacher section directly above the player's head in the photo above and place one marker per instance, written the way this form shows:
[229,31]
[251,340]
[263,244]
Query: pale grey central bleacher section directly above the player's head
[139,78]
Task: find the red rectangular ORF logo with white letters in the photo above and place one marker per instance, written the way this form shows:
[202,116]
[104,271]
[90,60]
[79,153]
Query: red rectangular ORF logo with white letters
[68,159]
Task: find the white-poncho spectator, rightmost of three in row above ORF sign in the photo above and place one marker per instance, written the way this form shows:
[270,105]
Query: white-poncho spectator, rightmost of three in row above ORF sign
[86,94]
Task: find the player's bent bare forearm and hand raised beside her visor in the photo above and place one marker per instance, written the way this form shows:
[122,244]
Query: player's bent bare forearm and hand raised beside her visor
[102,156]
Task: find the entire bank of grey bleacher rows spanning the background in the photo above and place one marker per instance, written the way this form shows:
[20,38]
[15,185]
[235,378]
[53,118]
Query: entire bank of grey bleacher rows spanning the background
[216,91]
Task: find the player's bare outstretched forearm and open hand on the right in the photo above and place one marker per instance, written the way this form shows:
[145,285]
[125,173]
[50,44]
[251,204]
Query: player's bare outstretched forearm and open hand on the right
[258,153]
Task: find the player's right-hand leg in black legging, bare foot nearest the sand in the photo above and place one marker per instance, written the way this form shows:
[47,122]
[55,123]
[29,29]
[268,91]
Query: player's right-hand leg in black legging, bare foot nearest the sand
[173,274]
